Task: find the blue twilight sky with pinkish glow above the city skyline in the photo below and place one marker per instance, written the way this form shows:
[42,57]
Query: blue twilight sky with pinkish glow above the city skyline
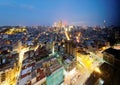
[46,12]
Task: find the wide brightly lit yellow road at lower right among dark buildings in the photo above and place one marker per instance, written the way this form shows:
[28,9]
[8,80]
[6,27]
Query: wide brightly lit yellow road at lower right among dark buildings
[82,73]
